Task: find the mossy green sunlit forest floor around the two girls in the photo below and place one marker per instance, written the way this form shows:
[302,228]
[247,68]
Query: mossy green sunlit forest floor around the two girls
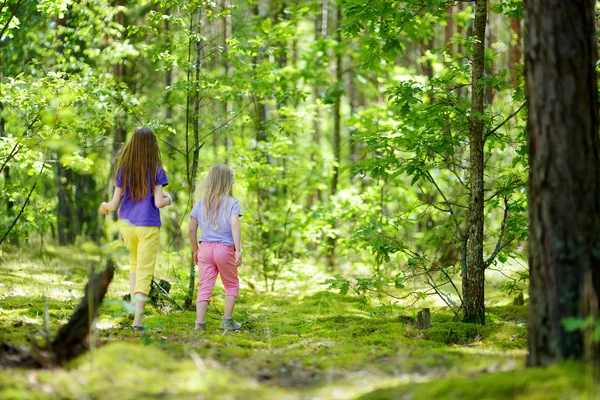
[299,342]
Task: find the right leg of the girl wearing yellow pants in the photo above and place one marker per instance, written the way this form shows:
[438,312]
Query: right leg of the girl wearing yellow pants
[148,242]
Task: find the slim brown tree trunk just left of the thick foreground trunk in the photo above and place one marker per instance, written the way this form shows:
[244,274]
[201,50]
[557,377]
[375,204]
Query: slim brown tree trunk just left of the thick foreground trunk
[473,282]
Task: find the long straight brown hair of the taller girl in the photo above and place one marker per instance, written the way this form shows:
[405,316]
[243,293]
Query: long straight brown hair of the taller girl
[138,158]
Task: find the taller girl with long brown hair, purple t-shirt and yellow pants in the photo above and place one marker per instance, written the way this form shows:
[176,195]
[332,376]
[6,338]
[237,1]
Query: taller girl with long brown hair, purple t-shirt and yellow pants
[139,182]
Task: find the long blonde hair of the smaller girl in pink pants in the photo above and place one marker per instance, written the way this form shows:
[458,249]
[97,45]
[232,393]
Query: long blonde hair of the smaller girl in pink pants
[214,189]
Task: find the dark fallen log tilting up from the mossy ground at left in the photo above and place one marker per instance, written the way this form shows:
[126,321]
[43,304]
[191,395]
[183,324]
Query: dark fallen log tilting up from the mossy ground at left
[72,339]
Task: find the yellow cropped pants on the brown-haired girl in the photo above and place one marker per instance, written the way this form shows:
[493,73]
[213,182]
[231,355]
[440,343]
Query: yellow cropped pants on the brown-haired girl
[142,243]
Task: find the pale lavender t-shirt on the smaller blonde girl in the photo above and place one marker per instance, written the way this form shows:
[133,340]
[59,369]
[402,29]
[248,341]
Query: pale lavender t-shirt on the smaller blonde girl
[209,232]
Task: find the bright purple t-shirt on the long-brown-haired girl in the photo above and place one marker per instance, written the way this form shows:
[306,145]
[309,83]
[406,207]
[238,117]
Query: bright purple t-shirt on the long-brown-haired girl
[143,212]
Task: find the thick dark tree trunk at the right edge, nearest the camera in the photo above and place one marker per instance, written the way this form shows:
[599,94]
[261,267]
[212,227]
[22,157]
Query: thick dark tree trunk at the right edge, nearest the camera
[564,180]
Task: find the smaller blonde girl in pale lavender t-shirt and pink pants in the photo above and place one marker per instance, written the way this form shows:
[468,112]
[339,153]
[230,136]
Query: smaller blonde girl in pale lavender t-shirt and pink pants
[219,250]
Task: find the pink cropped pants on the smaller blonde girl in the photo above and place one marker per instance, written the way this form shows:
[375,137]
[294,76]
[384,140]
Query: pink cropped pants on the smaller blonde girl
[213,259]
